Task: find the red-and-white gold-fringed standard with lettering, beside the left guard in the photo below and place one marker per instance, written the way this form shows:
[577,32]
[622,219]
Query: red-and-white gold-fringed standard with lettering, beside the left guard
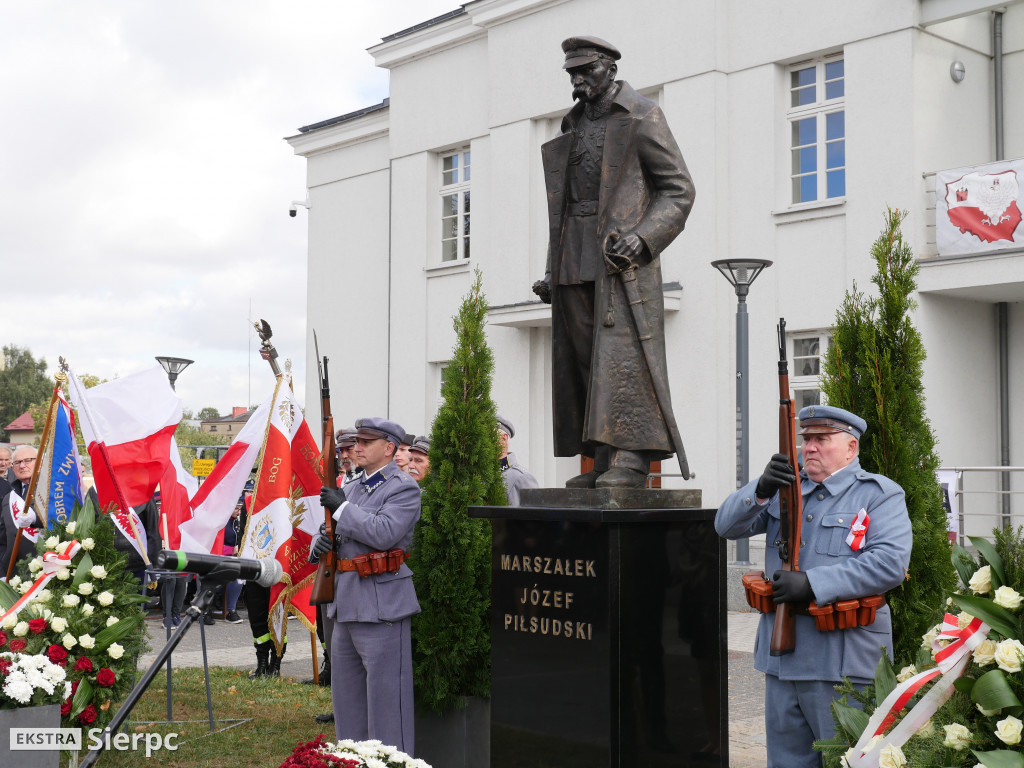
[285,513]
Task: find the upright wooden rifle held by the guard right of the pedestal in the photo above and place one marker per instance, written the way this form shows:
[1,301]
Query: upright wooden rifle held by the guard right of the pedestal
[784,636]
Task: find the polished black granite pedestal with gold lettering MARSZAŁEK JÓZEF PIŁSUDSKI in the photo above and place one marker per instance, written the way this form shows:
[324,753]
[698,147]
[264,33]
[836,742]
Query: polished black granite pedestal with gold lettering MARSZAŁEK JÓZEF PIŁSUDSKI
[609,631]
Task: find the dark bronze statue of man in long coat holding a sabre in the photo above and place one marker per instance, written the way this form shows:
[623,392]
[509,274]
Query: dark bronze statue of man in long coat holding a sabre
[619,193]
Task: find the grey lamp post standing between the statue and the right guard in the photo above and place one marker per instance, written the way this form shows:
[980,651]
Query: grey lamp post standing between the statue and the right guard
[742,273]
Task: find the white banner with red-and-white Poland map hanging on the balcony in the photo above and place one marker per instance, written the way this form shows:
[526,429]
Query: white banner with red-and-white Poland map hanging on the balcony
[978,209]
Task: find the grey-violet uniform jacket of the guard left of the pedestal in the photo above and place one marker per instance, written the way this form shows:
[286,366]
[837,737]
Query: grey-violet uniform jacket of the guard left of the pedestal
[381,515]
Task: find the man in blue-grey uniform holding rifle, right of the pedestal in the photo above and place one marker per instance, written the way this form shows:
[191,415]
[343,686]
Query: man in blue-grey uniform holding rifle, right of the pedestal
[835,565]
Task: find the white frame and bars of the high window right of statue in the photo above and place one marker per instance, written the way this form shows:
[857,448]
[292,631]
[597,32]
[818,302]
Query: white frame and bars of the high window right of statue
[820,110]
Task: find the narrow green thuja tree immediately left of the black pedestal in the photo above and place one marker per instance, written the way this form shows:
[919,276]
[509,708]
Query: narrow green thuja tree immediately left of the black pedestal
[452,551]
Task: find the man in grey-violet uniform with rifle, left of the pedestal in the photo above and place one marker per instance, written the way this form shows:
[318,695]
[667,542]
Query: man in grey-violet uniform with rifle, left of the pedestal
[371,647]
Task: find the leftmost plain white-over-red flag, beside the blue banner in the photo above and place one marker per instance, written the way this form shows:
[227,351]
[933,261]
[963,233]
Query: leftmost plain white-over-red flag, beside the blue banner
[129,425]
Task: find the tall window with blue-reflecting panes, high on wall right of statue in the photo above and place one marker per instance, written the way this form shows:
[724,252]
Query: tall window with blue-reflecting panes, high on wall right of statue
[818,131]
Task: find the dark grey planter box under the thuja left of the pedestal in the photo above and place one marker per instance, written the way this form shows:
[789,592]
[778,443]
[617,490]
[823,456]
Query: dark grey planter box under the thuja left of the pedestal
[459,739]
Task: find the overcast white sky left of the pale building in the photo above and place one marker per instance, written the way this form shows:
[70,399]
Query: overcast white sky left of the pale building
[146,181]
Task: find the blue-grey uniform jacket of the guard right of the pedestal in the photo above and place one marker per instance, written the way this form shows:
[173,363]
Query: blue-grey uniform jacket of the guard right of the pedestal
[834,570]
